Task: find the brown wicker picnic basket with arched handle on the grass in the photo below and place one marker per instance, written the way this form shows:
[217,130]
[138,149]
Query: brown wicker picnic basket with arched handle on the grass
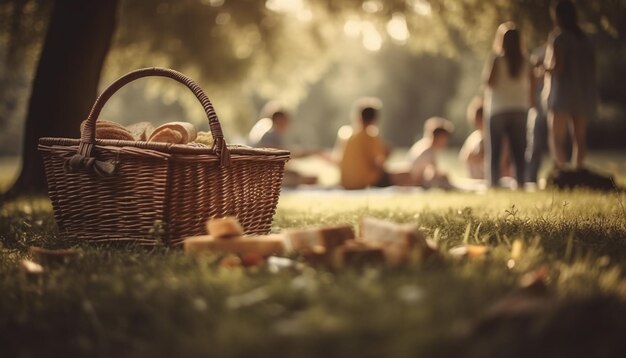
[135,191]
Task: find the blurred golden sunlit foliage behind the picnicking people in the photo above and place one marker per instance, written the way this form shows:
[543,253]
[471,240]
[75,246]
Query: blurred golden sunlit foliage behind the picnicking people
[422,57]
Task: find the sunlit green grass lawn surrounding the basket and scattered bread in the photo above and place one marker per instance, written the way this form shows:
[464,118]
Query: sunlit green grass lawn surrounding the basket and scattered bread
[137,302]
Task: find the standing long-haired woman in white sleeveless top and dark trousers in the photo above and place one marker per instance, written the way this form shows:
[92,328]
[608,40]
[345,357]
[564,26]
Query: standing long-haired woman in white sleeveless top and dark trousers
[507,99]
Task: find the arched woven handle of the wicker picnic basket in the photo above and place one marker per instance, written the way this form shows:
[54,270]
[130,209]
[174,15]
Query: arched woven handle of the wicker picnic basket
[88,136]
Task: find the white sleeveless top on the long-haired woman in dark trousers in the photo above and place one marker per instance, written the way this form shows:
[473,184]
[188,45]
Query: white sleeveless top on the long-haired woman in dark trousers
[507,94]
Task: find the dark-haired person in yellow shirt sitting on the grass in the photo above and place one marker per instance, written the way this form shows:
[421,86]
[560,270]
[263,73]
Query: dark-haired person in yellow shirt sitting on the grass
[361,163]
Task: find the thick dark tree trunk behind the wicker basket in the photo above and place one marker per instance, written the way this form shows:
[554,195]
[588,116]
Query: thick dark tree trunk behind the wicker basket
[65,85]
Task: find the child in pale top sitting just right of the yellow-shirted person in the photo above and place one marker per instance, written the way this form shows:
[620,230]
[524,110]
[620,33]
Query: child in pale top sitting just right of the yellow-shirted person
[423,154]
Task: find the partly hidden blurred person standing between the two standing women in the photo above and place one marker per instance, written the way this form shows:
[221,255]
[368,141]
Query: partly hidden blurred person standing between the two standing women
[537,125]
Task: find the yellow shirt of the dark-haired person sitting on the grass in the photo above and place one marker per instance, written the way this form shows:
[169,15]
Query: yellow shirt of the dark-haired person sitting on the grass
[362,154]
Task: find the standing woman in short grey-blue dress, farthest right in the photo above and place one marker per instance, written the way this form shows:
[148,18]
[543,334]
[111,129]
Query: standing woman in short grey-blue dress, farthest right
[570,88]
